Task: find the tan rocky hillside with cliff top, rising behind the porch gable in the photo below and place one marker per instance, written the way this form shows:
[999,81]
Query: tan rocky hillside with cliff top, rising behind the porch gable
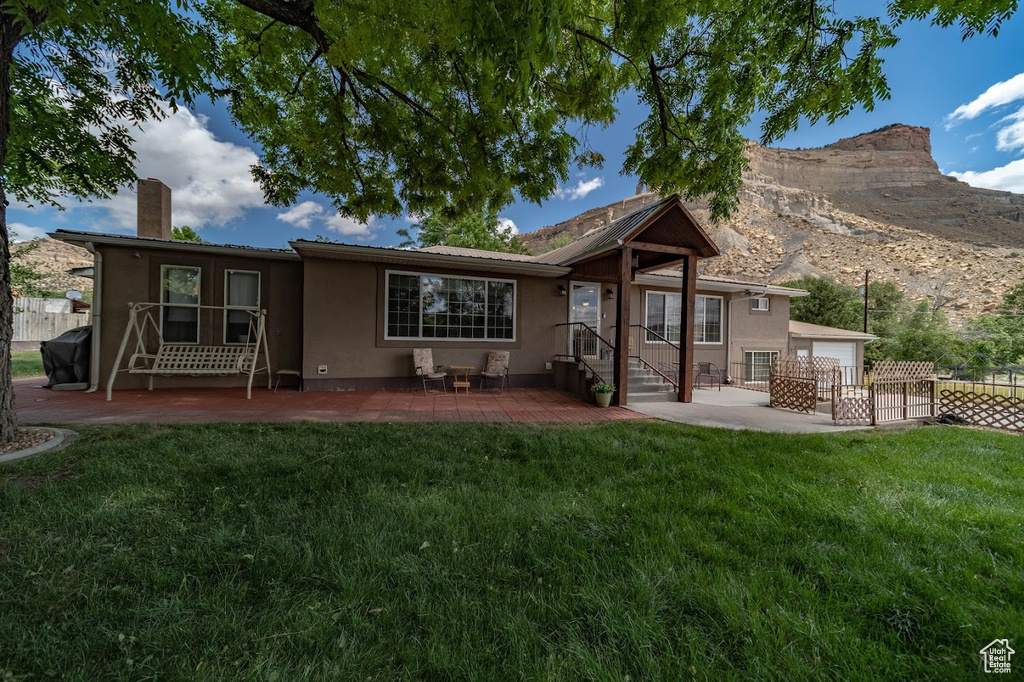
[877,201]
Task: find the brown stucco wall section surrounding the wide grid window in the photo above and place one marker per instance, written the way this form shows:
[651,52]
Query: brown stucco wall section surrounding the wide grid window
[345,330]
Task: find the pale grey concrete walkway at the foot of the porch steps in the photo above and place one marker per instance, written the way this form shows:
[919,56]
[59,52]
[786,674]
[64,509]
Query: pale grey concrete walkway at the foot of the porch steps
[740,409]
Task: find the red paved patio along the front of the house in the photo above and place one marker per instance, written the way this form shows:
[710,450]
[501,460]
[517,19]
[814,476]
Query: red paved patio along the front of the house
[41,406]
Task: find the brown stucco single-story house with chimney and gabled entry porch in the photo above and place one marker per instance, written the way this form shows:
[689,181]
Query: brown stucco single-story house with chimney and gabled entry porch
[348,317]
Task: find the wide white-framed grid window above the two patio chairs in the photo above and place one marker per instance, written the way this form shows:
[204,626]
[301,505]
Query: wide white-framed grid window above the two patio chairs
[433,307]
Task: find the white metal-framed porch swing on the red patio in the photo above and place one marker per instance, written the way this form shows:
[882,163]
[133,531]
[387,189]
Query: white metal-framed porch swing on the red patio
[190,360]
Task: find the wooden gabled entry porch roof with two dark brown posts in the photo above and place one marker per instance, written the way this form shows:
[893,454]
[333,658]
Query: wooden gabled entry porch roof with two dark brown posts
[668,235]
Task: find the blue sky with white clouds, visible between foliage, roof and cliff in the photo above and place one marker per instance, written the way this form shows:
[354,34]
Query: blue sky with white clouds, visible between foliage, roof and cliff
[971,95]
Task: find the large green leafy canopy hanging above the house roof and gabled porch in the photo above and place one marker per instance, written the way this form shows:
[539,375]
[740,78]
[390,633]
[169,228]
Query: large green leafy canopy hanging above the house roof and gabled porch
[451,107]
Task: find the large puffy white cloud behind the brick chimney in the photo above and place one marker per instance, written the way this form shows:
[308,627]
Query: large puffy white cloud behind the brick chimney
[210,180]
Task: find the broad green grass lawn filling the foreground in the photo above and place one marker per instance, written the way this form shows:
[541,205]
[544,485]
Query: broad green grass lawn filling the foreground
[628,551]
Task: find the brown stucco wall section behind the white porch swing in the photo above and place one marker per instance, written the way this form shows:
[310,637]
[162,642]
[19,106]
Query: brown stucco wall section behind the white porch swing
[134,276]
